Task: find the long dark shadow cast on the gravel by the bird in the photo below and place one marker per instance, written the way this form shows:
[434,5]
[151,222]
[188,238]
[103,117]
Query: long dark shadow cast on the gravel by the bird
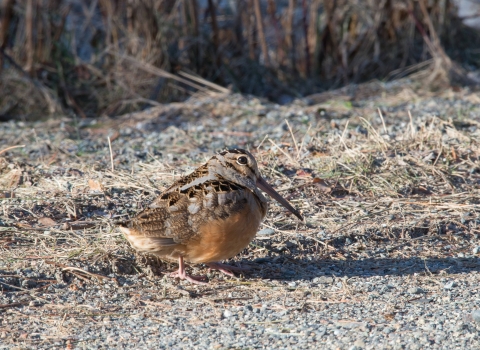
[294,268]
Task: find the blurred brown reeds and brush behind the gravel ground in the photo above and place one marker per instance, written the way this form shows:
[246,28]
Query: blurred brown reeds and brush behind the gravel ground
[105,57]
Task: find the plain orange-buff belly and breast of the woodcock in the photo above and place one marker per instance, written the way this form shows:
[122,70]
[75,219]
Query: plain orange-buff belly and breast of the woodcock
[224,238]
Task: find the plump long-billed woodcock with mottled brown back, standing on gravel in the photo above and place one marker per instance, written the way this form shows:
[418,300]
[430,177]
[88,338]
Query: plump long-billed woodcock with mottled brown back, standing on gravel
[207,216]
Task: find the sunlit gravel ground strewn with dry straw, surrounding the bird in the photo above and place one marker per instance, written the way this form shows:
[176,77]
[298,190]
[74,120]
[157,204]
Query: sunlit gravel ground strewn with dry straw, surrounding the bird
[371,268]
